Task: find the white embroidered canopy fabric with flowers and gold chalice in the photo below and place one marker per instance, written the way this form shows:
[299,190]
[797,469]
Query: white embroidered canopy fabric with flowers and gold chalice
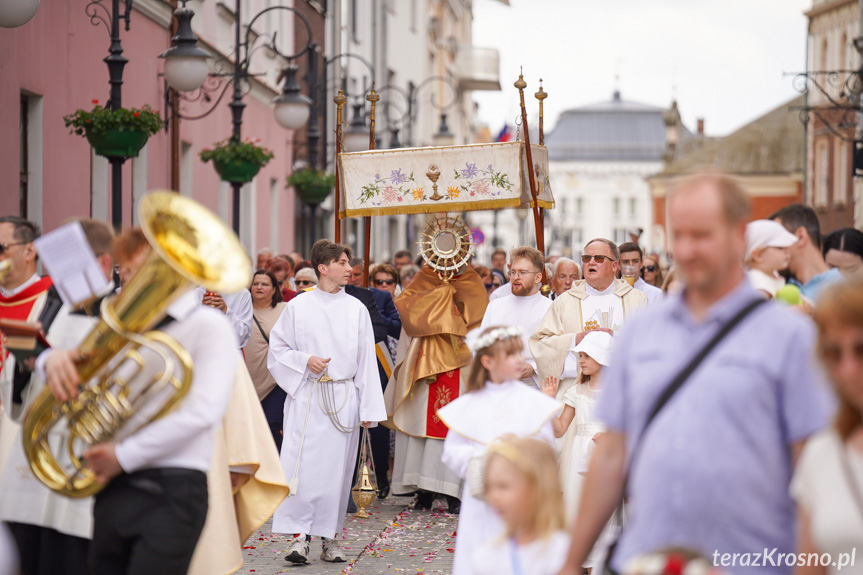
[442,179]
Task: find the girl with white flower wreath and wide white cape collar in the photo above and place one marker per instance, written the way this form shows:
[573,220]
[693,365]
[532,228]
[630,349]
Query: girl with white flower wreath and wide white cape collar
[496,404]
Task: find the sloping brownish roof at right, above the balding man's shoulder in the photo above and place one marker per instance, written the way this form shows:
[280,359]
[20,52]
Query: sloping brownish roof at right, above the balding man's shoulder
[771,144]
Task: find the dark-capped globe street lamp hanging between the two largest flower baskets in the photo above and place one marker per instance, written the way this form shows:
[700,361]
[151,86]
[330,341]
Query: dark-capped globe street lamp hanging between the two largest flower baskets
[186,66]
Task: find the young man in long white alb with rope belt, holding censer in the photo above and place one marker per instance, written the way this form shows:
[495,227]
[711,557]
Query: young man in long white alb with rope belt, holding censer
[322,353]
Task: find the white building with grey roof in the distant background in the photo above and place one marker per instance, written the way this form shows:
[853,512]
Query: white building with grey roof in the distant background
[599,158]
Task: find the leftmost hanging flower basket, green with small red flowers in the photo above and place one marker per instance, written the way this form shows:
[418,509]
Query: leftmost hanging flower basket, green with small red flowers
[115,133]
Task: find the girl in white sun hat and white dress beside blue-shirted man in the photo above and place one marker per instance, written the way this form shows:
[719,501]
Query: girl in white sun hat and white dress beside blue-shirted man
[577,423]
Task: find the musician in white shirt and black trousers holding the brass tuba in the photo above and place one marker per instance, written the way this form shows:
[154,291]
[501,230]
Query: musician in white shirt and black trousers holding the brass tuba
[150,514]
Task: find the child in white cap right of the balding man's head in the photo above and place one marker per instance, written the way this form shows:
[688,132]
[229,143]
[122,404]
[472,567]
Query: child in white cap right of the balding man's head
[767,244]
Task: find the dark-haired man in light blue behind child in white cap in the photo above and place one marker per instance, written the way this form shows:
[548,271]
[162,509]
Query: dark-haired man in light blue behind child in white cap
[806,262]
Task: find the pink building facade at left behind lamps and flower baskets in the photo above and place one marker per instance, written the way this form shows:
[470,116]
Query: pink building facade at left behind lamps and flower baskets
[53,65]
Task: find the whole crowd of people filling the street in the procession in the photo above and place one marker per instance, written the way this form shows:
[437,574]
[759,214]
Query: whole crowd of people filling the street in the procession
[701,408]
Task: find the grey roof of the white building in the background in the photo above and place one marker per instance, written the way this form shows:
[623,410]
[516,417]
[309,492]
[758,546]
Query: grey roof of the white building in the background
[616,130]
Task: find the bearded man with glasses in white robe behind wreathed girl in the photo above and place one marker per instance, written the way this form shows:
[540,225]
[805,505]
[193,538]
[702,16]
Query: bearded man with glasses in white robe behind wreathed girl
[524,307]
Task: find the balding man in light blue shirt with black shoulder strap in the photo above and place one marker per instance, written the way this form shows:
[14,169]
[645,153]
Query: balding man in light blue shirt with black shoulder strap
[712,471]
